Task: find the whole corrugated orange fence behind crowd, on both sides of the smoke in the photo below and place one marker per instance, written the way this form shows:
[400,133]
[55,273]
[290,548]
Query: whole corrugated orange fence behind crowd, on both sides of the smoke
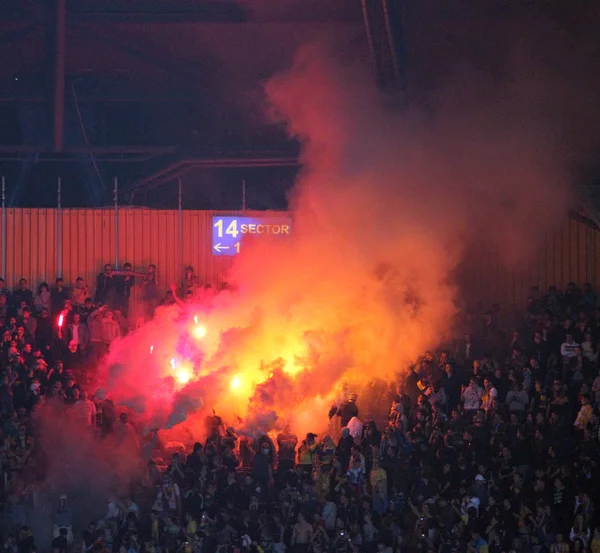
[88,240]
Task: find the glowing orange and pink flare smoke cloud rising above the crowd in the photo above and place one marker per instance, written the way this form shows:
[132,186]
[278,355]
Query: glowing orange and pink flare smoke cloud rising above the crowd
[384,209]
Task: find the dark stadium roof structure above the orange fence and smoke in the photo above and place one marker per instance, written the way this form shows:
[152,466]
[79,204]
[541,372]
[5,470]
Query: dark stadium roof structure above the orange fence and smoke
[153,89]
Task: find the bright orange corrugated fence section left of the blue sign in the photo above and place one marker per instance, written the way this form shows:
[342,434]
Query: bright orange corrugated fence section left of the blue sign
[88,240]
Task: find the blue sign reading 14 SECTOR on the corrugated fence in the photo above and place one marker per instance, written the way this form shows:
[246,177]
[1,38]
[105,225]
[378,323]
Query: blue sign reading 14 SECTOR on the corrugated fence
[228,232]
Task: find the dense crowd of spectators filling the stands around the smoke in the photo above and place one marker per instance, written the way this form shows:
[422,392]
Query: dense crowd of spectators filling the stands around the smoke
[491,444]
